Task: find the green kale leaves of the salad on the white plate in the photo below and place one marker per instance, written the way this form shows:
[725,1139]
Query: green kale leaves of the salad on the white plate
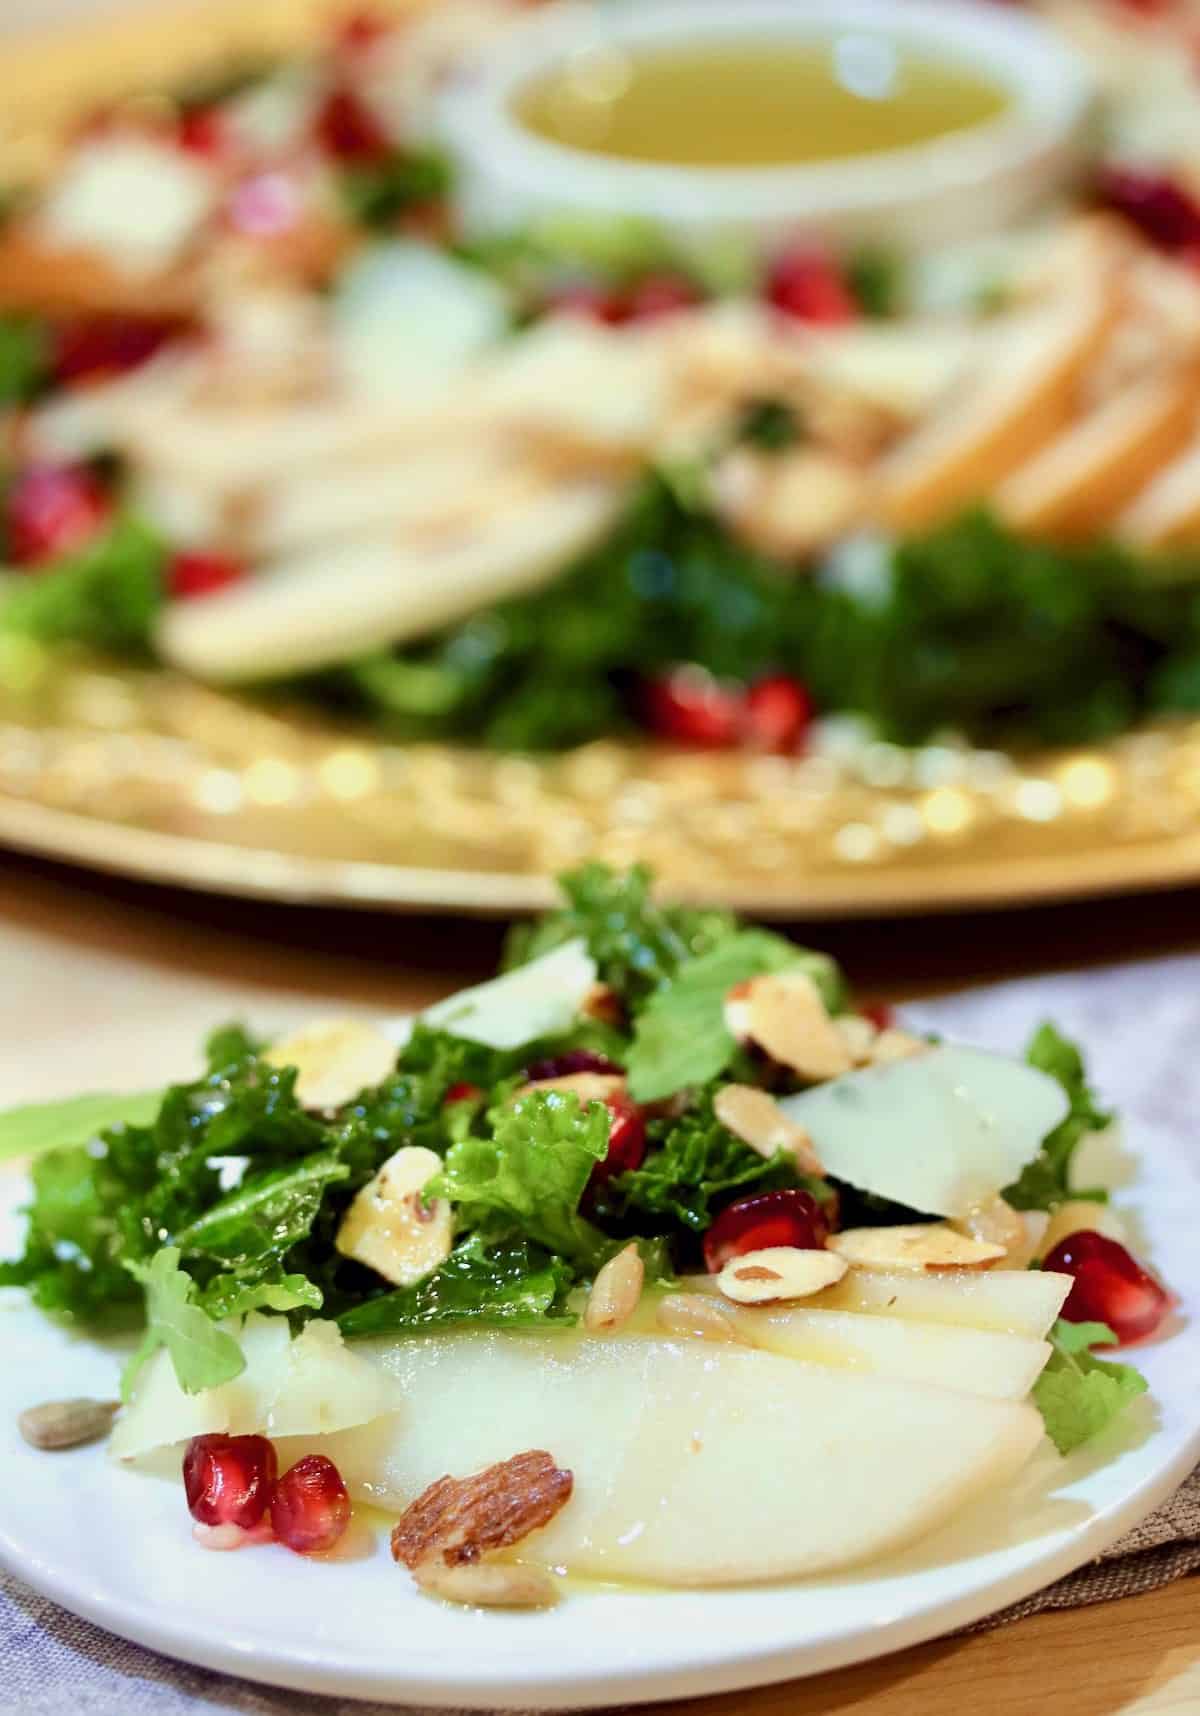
[183,1211]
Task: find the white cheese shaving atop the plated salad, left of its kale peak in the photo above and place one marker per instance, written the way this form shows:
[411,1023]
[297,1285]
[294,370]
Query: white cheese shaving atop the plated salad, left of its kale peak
[538,1000]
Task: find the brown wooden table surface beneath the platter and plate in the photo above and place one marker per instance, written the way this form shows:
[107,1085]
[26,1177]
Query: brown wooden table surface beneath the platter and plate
[1134,1657]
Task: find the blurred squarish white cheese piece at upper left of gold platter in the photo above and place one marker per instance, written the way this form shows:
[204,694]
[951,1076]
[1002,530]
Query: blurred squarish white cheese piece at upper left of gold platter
[133,200]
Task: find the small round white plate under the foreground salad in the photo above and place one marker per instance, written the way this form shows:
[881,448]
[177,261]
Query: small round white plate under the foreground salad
[116,1547]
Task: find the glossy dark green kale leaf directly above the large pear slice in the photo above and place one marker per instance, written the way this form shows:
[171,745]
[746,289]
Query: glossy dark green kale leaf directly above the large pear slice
[514,1286]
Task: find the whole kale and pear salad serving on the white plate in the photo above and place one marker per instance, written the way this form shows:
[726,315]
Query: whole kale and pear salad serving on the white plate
[655,1218]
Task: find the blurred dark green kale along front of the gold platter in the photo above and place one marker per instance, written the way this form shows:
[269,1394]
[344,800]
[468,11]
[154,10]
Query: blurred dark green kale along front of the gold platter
[964,629]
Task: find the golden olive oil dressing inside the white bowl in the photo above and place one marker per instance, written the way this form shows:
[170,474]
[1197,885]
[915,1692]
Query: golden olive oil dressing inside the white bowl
[756,102]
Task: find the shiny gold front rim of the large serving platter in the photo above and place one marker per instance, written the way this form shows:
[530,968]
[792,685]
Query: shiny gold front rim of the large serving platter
[150,775]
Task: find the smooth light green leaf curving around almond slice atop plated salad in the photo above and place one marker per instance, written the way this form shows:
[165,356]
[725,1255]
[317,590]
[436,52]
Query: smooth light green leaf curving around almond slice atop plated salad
[681,1037]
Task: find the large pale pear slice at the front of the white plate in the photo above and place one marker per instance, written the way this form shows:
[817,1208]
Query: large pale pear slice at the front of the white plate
[694,1465]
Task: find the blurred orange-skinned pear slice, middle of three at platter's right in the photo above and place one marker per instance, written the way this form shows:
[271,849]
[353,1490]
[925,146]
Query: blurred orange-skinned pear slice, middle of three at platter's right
[1089,474]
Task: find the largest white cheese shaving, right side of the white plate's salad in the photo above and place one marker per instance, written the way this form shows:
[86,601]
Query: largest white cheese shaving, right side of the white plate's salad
[940,1132]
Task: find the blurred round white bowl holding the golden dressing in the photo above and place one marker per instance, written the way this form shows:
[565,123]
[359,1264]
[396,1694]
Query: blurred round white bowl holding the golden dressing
[957,186]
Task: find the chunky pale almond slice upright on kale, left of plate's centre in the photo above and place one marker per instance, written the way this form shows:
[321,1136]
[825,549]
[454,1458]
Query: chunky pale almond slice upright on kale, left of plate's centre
[391,1228]
